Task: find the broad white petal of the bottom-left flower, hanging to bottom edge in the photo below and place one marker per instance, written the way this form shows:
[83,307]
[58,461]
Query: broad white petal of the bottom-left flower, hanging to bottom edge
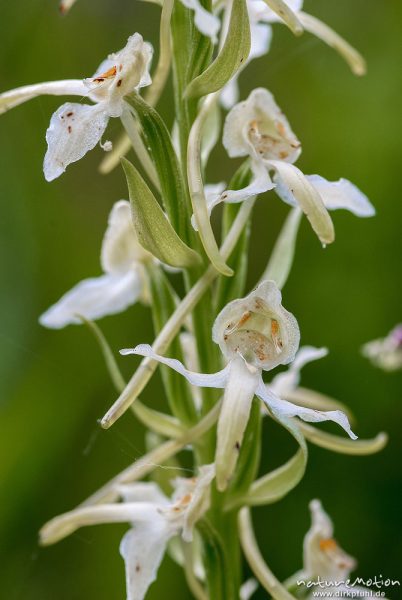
[142,549]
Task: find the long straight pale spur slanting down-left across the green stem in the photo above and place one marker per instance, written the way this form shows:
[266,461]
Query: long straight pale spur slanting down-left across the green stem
[171,328]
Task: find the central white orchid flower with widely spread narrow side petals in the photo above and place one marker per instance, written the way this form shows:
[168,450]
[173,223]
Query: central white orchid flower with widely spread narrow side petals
[254,333]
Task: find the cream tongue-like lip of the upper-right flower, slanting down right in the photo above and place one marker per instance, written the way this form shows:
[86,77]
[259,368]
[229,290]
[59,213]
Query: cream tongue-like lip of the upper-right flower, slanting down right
[293,185]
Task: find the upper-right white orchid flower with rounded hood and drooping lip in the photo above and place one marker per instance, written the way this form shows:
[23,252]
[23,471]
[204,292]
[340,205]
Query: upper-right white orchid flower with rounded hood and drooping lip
[257,128]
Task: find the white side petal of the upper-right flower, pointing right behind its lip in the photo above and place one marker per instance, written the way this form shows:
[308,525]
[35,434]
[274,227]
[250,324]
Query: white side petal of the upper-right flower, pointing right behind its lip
[342,194]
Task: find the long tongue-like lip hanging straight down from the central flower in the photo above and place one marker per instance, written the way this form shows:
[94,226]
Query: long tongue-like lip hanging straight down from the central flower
[239,393]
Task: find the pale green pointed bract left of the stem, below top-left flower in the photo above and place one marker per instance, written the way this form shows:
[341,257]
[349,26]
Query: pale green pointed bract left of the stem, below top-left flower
[154,231]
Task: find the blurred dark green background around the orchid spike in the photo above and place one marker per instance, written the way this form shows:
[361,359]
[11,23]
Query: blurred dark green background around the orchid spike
[53,384]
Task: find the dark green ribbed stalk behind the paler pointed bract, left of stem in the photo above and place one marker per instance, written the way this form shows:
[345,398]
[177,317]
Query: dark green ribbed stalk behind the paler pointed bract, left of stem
[159,144]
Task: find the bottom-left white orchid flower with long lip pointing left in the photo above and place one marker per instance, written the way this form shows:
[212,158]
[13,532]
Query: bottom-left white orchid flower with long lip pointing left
[155,520]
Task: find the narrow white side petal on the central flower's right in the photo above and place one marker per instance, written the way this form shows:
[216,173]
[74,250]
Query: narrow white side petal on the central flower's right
[306,414]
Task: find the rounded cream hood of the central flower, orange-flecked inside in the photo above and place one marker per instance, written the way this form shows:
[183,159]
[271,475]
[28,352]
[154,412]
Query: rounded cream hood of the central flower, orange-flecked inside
[258,329]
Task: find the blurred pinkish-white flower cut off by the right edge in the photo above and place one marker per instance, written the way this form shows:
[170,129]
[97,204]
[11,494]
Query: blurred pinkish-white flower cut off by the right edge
[386,353]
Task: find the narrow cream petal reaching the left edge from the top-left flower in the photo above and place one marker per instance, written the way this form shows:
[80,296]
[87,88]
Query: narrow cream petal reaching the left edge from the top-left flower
[75,87]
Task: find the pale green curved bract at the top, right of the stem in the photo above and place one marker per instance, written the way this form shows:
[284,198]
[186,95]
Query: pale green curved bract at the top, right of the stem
[231,57]
